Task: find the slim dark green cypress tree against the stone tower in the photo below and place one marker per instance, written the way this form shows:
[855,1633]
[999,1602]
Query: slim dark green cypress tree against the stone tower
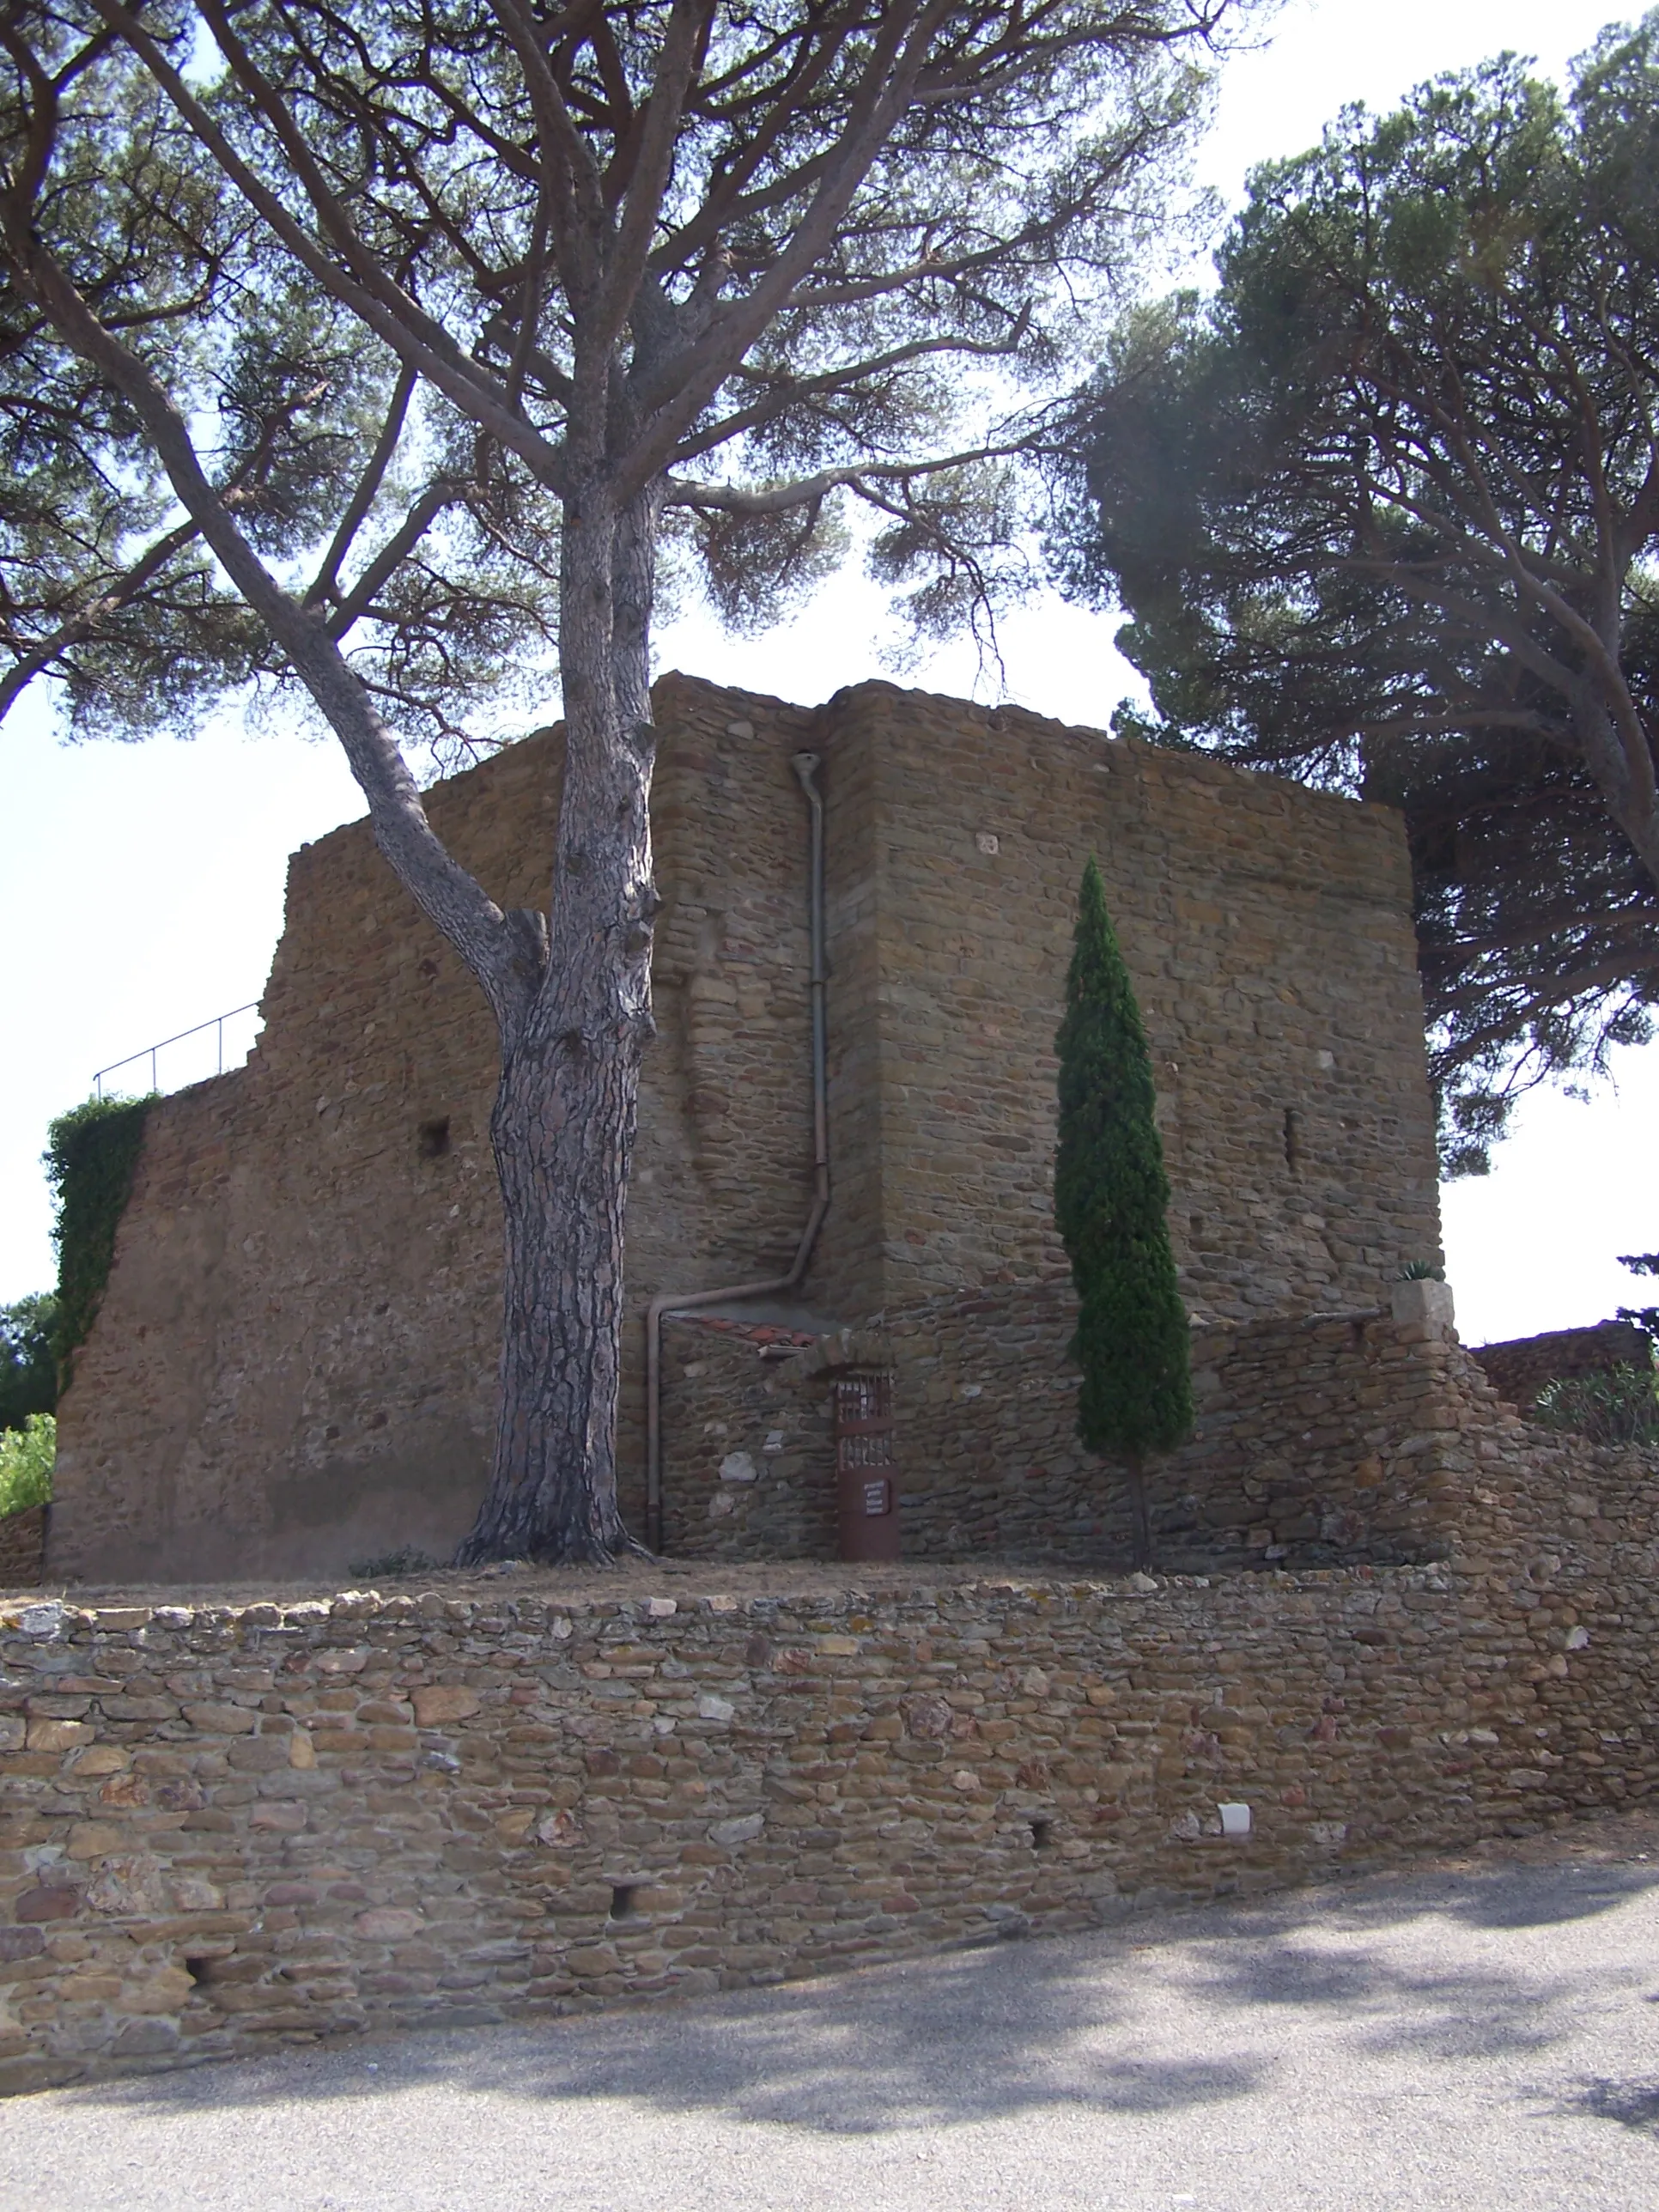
[1112,1200]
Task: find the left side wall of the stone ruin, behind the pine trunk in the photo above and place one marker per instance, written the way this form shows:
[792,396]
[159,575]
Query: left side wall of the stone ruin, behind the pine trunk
[295,1361]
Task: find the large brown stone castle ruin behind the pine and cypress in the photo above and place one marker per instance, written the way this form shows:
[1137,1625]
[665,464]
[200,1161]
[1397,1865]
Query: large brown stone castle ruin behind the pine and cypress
[295,1359]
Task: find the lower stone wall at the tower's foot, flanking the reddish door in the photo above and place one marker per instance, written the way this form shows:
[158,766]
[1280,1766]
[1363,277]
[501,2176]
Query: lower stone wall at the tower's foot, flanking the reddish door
[1317,1441]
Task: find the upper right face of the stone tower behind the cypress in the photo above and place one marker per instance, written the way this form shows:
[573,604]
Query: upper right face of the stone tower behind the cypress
[1269,932]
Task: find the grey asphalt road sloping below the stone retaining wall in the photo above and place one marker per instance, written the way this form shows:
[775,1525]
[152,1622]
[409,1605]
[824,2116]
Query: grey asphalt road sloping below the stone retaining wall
[1479,2041]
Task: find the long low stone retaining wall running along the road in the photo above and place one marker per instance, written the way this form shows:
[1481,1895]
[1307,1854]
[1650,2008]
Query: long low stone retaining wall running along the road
[233,1828]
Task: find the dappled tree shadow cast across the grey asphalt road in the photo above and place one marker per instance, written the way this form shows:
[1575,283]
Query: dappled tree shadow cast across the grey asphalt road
[1005,2030]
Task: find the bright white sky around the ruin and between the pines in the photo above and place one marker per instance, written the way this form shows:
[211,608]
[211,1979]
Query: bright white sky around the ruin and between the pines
[143,886]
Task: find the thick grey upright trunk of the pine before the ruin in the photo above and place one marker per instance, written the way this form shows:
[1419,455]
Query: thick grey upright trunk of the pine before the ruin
[567,1100]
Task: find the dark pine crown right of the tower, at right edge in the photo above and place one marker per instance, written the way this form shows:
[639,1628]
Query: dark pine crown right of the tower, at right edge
[1357,503]
